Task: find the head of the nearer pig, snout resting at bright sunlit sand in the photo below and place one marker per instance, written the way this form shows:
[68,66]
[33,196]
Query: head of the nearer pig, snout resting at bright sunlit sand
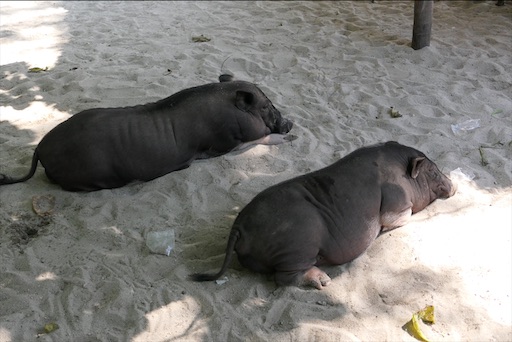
[431,183]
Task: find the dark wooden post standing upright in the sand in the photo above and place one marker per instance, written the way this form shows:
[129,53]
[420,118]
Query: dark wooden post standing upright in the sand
[422,23]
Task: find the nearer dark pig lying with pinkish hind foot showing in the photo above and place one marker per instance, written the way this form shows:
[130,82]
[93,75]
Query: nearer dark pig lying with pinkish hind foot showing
[331,216]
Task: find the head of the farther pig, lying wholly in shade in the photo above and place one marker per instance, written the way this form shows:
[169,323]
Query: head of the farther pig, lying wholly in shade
[259,105]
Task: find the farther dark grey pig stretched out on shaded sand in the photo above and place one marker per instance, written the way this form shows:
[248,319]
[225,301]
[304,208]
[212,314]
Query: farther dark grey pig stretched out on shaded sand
[110,147]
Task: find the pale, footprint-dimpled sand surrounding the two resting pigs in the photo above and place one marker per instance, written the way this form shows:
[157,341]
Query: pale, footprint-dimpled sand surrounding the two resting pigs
[335,69]
